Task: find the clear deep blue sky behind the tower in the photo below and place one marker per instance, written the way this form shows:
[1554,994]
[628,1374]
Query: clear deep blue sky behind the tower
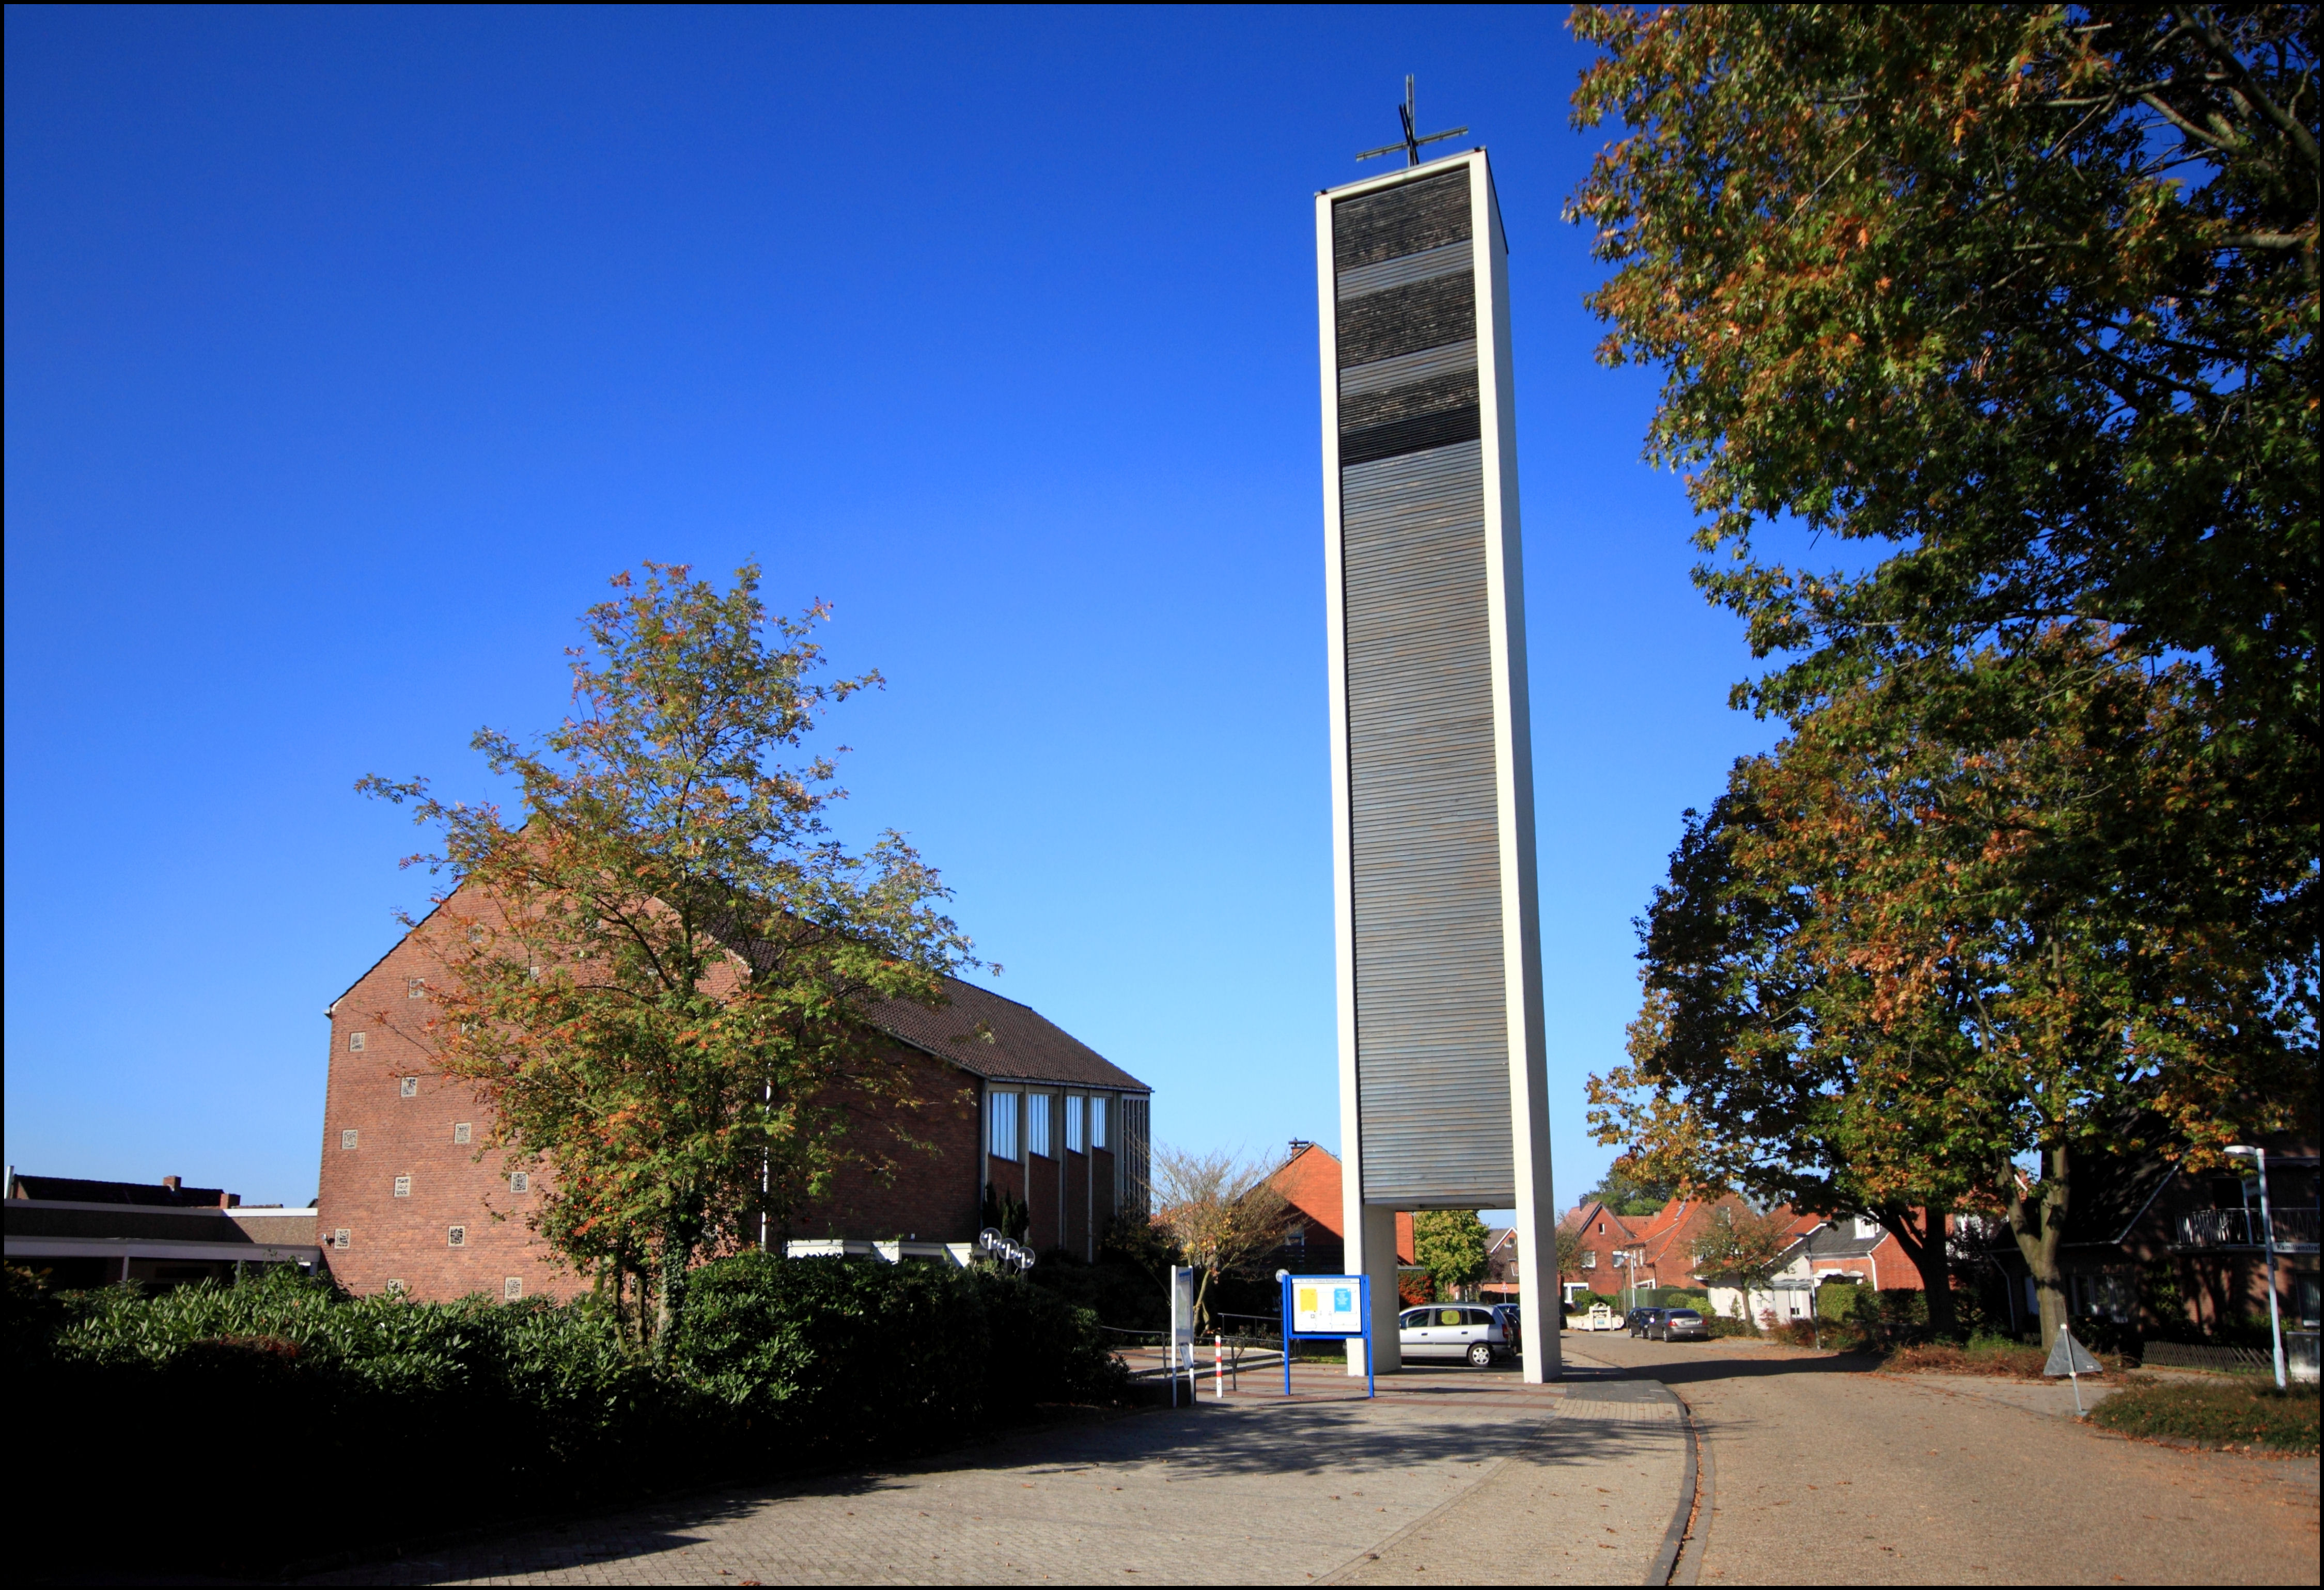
[352,352]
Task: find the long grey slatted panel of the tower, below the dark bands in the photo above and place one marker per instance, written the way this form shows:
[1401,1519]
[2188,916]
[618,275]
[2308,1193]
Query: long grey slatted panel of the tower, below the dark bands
[1430,1001]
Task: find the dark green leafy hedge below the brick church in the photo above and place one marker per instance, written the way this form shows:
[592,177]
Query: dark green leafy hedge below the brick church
[419,1419]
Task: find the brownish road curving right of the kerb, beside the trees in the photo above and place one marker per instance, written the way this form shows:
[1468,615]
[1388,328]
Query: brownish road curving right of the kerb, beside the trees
[1823,1473]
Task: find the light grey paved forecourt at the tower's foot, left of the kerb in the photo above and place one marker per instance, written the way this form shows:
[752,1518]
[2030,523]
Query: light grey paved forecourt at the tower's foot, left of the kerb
[1451,1475]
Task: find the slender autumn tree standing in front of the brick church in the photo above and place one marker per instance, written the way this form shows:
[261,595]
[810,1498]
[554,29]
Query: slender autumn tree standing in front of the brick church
[659,973]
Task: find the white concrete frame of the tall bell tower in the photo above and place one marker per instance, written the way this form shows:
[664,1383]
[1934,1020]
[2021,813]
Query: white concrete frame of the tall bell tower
[1372,1231]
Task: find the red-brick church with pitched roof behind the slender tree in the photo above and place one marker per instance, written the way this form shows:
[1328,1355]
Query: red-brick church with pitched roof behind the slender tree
[1017,1115]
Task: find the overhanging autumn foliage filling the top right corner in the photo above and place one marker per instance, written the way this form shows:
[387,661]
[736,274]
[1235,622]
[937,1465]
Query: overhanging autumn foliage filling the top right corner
[2023,294]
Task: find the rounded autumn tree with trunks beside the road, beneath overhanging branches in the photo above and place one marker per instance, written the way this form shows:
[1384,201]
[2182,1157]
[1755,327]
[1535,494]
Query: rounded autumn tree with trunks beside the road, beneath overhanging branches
[1888,971]
